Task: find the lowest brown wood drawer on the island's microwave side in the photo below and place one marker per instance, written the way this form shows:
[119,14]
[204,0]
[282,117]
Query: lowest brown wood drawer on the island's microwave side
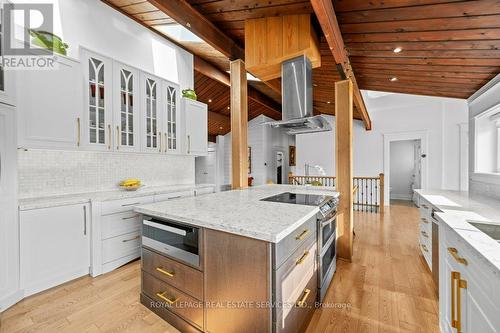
[185,306]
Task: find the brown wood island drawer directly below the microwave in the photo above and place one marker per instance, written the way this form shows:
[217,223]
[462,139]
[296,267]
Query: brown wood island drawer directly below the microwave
[185,278]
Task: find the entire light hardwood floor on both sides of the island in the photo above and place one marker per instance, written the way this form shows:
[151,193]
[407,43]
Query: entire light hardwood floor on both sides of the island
[387,288]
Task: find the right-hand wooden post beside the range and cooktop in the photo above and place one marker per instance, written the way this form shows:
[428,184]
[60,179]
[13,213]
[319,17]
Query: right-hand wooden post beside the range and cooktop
[343,121]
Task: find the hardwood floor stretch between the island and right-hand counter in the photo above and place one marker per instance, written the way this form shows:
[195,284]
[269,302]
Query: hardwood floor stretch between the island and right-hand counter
[387,287]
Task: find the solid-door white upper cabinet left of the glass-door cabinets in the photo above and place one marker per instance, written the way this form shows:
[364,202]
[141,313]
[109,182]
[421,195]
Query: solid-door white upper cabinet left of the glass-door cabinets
[50,106]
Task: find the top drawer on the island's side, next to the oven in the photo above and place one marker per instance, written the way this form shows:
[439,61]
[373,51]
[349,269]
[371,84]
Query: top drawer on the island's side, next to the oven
[296,238]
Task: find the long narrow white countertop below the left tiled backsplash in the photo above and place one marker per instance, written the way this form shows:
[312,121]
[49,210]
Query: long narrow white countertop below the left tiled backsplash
[77,198]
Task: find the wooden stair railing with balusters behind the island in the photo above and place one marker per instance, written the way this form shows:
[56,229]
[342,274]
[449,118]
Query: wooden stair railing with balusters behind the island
[368,191]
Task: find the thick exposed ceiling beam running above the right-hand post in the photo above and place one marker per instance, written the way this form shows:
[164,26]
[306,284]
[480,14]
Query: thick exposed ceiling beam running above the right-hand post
[328,21]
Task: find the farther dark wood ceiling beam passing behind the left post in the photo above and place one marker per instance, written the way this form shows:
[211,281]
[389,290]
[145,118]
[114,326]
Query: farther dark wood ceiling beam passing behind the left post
[209,70]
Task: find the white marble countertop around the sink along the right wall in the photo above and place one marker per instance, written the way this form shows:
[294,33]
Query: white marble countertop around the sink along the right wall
[457,208]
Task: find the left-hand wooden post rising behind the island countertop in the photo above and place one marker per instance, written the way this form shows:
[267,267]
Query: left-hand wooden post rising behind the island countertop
[239,125]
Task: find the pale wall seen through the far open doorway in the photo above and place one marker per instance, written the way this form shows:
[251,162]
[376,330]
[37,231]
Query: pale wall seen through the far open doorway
[402,168]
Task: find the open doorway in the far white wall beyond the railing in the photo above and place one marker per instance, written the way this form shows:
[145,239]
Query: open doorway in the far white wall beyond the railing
[406,168]
